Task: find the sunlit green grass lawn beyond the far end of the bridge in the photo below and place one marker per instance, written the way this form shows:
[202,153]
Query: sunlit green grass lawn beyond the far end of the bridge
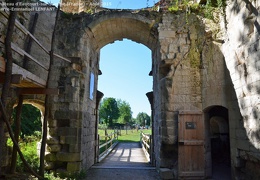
[127,136]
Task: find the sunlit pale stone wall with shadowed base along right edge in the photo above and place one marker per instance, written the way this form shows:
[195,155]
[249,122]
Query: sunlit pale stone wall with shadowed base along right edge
[241,51]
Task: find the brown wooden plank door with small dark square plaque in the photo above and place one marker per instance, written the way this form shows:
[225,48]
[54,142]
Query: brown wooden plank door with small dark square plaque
[191,158]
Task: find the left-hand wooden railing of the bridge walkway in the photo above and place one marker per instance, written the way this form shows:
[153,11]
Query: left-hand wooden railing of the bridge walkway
[106,144]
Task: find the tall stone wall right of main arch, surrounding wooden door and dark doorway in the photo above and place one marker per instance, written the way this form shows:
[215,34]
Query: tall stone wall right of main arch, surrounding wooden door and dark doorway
[191,74]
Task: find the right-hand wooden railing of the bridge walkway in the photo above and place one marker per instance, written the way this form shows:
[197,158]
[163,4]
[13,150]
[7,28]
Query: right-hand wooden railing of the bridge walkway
[145,140]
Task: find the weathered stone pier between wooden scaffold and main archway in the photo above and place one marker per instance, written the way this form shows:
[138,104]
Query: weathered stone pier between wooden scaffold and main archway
[72,137]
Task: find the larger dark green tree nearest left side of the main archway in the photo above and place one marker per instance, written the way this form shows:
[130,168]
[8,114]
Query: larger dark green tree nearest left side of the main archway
[109,111]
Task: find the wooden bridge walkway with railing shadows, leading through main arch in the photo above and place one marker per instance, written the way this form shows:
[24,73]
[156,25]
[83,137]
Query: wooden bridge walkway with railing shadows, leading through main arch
[127,161]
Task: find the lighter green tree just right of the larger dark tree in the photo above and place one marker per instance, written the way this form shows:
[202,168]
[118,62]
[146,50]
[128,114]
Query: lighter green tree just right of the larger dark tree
[125,113]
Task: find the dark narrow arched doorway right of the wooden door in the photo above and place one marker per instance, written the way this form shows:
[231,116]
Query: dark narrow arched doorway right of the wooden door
[217,143]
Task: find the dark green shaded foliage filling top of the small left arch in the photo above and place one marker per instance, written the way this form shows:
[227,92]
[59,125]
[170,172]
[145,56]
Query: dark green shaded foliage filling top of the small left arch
[30,120]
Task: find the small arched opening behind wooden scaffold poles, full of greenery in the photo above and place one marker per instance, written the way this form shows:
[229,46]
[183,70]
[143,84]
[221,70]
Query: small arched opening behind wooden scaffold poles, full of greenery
[29,137]
